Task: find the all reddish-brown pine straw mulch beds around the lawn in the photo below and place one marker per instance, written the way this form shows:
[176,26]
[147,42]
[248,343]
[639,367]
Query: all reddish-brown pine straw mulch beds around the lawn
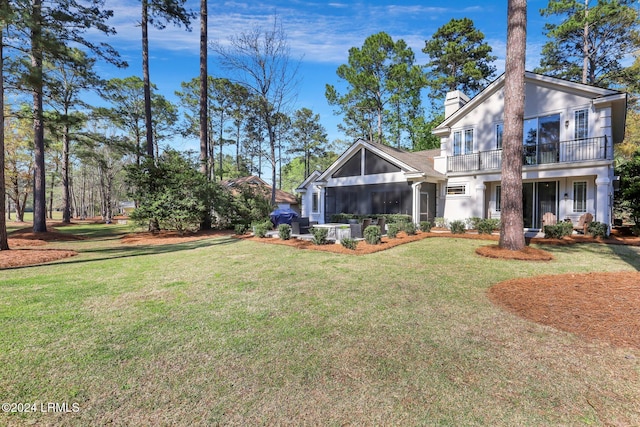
[604,306]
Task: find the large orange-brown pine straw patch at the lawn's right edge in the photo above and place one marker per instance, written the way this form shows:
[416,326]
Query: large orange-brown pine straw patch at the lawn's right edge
[602,306]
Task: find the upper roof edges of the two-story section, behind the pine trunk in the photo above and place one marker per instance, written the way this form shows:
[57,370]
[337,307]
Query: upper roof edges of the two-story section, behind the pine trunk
[602,96]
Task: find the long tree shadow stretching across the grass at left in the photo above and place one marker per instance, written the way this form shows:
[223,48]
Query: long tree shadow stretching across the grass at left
[130,251]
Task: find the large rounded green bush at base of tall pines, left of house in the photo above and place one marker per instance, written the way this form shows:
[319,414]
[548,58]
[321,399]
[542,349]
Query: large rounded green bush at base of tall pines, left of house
[171,193]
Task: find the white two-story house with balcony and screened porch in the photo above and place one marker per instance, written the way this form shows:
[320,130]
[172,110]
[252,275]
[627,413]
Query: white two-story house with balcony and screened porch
[569,133]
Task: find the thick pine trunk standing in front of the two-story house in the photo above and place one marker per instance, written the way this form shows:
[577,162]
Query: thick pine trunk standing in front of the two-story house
[511,218]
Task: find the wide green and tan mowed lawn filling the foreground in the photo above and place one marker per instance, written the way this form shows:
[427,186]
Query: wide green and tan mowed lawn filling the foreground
[232,332]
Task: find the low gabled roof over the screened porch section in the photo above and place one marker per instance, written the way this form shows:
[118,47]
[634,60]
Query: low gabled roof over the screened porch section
[418,163]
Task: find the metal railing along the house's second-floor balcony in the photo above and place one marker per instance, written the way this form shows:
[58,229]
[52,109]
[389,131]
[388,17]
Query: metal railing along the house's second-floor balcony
[579,150]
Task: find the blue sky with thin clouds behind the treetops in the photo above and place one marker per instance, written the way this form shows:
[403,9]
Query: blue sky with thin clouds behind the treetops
[319,35]
